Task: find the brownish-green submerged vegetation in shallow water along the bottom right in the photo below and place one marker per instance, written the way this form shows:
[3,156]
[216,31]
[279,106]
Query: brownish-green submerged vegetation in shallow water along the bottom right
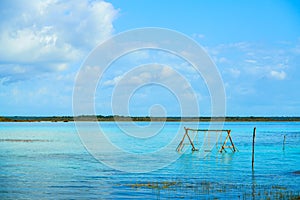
[173,189]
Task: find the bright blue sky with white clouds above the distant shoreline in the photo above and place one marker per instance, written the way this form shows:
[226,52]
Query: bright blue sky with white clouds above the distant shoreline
[254,44]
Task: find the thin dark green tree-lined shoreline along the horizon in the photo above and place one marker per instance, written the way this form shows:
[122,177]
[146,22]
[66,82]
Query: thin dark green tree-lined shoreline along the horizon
[90,118]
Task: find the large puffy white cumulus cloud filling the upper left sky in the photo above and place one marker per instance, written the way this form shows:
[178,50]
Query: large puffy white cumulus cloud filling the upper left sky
[50,35]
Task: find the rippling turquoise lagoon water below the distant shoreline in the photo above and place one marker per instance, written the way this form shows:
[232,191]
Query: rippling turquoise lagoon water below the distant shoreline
[47,160]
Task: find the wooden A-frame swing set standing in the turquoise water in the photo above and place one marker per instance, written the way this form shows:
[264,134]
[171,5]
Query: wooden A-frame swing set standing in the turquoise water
[210,139]
